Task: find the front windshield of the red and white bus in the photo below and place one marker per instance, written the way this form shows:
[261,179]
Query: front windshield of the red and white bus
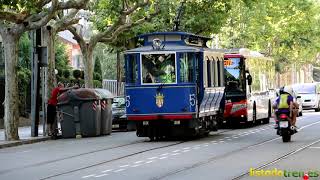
[234,76]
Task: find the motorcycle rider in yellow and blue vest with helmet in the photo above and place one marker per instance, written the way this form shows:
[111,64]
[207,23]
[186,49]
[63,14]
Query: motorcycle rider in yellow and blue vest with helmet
[284,104]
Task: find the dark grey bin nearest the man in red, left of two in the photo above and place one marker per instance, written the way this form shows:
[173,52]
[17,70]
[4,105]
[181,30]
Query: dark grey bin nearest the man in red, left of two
[80,113]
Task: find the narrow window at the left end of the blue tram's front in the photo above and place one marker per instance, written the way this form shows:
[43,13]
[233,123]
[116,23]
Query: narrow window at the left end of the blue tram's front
[132,69]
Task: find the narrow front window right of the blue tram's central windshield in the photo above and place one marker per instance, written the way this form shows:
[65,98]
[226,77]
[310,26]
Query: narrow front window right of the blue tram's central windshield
[187,67]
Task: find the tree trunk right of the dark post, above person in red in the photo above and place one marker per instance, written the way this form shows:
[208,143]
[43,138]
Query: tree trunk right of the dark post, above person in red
[52,81]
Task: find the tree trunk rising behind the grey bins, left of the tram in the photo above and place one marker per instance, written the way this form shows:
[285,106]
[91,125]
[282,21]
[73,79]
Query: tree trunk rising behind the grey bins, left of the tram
[88,67]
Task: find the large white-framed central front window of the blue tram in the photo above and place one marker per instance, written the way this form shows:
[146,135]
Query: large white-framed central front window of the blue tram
[158,68]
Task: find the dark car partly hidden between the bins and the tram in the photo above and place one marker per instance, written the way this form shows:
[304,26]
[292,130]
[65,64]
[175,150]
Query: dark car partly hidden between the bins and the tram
[119,118]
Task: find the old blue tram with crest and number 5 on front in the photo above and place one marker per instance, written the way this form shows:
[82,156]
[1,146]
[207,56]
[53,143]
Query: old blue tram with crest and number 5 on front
[174,85]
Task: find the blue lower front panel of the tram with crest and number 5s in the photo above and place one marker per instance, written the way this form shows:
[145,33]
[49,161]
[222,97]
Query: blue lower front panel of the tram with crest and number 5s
[155,101]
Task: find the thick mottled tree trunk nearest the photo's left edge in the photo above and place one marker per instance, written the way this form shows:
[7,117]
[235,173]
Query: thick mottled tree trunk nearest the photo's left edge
[11,104]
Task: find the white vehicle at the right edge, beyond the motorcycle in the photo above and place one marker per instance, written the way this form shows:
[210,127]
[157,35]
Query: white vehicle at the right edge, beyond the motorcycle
[310,95]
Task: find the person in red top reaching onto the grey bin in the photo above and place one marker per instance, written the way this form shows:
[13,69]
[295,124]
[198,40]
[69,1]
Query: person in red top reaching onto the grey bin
[52,108]
